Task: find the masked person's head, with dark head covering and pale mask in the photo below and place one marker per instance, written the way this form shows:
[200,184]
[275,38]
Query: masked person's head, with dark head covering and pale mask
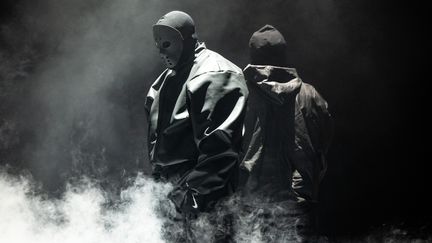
[174,34]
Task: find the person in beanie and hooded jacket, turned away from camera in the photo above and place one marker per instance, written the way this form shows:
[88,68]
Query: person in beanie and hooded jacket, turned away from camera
[288,132]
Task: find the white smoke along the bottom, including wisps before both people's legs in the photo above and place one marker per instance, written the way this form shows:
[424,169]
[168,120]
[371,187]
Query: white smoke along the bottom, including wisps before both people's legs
[86,213]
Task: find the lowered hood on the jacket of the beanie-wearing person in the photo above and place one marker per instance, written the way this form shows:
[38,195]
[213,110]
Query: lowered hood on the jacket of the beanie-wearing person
[276,84]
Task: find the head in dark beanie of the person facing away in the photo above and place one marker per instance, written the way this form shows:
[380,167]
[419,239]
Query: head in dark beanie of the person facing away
[268,47]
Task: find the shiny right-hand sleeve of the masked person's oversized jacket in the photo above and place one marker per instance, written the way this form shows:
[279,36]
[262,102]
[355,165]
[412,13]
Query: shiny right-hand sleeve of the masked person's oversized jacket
[216,102]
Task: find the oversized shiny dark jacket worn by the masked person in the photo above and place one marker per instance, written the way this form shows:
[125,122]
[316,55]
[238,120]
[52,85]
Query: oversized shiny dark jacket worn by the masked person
[195,128]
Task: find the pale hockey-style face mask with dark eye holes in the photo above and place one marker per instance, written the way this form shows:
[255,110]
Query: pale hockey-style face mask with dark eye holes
[170,44]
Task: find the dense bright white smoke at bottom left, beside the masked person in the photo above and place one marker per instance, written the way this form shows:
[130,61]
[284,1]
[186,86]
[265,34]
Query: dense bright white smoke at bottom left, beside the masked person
[81,215]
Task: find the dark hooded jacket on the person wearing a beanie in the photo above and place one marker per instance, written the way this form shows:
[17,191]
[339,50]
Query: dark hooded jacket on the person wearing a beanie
[288,131]
